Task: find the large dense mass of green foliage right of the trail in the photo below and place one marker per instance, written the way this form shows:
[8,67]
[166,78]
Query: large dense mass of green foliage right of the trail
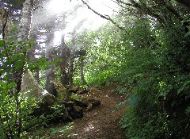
[150,64]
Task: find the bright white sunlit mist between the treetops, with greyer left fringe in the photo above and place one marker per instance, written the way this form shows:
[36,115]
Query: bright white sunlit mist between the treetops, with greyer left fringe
[61,19]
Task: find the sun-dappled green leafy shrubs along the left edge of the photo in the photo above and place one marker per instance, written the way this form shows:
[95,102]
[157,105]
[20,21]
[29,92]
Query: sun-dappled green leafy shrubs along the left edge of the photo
[14,109]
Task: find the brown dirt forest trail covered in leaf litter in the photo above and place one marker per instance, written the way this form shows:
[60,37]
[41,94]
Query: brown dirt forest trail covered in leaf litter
[101,122]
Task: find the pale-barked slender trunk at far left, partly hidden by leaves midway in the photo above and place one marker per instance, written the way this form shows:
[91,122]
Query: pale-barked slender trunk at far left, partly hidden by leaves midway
[23,35]
